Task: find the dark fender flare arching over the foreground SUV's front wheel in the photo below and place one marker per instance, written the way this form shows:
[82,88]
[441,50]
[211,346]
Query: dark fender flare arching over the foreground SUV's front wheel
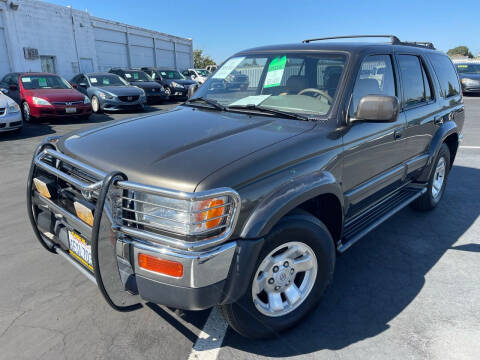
[286,198]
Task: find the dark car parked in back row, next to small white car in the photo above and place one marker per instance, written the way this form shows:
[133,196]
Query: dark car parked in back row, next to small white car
[174,83]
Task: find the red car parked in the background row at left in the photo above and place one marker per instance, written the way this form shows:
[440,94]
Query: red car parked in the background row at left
[44,95]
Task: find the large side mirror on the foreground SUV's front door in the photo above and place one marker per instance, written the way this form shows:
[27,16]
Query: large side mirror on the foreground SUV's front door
[379,108]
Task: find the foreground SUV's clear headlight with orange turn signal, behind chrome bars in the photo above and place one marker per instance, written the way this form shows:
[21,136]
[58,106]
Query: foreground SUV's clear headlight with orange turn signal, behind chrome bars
[184,217]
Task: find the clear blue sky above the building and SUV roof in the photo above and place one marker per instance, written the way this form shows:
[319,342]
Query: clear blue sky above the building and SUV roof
[222,27]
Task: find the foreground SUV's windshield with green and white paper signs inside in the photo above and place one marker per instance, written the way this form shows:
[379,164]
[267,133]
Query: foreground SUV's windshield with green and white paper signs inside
[301,83]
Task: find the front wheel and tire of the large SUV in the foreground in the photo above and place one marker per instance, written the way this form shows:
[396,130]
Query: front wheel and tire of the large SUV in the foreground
[291,275]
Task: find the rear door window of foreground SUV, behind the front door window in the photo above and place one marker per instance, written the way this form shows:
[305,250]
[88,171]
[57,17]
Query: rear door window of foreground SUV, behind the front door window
[416,87]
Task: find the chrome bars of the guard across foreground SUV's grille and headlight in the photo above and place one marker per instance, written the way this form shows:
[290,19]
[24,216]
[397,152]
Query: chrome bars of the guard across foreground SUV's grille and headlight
[91,190]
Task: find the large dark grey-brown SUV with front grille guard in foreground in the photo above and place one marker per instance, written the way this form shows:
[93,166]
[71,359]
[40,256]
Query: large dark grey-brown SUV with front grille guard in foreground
[243,199]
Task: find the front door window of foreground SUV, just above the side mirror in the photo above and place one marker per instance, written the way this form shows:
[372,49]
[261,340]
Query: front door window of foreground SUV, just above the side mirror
[375,78]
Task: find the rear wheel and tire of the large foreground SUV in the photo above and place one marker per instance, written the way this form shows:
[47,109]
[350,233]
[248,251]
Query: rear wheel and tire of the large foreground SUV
[437,182]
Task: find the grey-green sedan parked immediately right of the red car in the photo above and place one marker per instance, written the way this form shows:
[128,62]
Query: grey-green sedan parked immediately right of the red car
[109,92]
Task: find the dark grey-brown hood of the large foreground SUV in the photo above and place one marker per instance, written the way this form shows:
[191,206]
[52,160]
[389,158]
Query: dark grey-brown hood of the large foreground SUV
[180,148]
